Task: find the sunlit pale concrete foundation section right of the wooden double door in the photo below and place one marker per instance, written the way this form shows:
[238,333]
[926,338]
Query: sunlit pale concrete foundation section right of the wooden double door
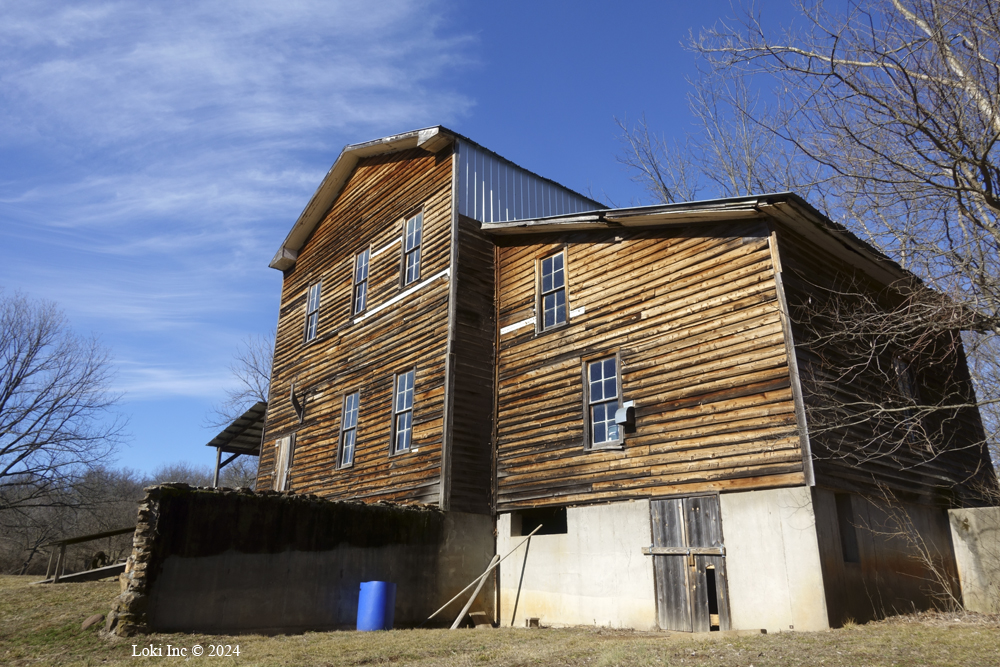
[773,560]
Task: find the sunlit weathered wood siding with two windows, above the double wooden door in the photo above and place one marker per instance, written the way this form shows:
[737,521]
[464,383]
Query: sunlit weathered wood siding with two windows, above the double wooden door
[694,316]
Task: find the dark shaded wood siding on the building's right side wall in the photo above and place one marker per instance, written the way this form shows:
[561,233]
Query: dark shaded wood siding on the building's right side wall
[849,445]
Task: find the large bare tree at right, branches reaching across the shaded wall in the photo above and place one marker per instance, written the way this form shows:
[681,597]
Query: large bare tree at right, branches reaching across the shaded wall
[886,116]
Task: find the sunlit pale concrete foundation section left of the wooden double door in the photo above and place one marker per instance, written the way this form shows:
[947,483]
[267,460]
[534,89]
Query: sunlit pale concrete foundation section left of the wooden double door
[594,574]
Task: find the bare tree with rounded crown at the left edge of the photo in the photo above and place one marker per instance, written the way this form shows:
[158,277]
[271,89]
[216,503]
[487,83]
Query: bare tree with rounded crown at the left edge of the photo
[57,416]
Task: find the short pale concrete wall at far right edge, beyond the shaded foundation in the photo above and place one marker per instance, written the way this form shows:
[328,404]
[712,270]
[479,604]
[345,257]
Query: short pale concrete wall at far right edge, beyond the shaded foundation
[975,534]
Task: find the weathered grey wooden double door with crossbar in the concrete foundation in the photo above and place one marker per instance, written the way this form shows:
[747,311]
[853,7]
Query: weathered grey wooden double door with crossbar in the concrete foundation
[689,564]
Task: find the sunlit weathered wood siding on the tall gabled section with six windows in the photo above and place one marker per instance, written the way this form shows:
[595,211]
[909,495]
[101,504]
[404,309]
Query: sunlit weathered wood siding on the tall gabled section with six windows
[349,355]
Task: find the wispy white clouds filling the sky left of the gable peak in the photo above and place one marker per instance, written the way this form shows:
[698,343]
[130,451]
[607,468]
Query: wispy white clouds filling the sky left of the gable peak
[157,153]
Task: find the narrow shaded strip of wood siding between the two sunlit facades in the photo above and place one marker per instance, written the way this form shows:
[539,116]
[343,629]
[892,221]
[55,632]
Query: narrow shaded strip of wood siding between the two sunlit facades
[471,463]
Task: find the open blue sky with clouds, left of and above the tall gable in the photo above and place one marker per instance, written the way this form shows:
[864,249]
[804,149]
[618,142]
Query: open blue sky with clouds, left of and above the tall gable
[153,155]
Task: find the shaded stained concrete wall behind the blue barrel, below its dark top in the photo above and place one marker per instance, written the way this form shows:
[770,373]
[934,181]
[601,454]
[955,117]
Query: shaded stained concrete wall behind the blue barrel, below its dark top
[298,590]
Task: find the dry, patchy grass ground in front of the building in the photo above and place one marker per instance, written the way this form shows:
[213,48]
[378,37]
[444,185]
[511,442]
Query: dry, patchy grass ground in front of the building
[40,625]
